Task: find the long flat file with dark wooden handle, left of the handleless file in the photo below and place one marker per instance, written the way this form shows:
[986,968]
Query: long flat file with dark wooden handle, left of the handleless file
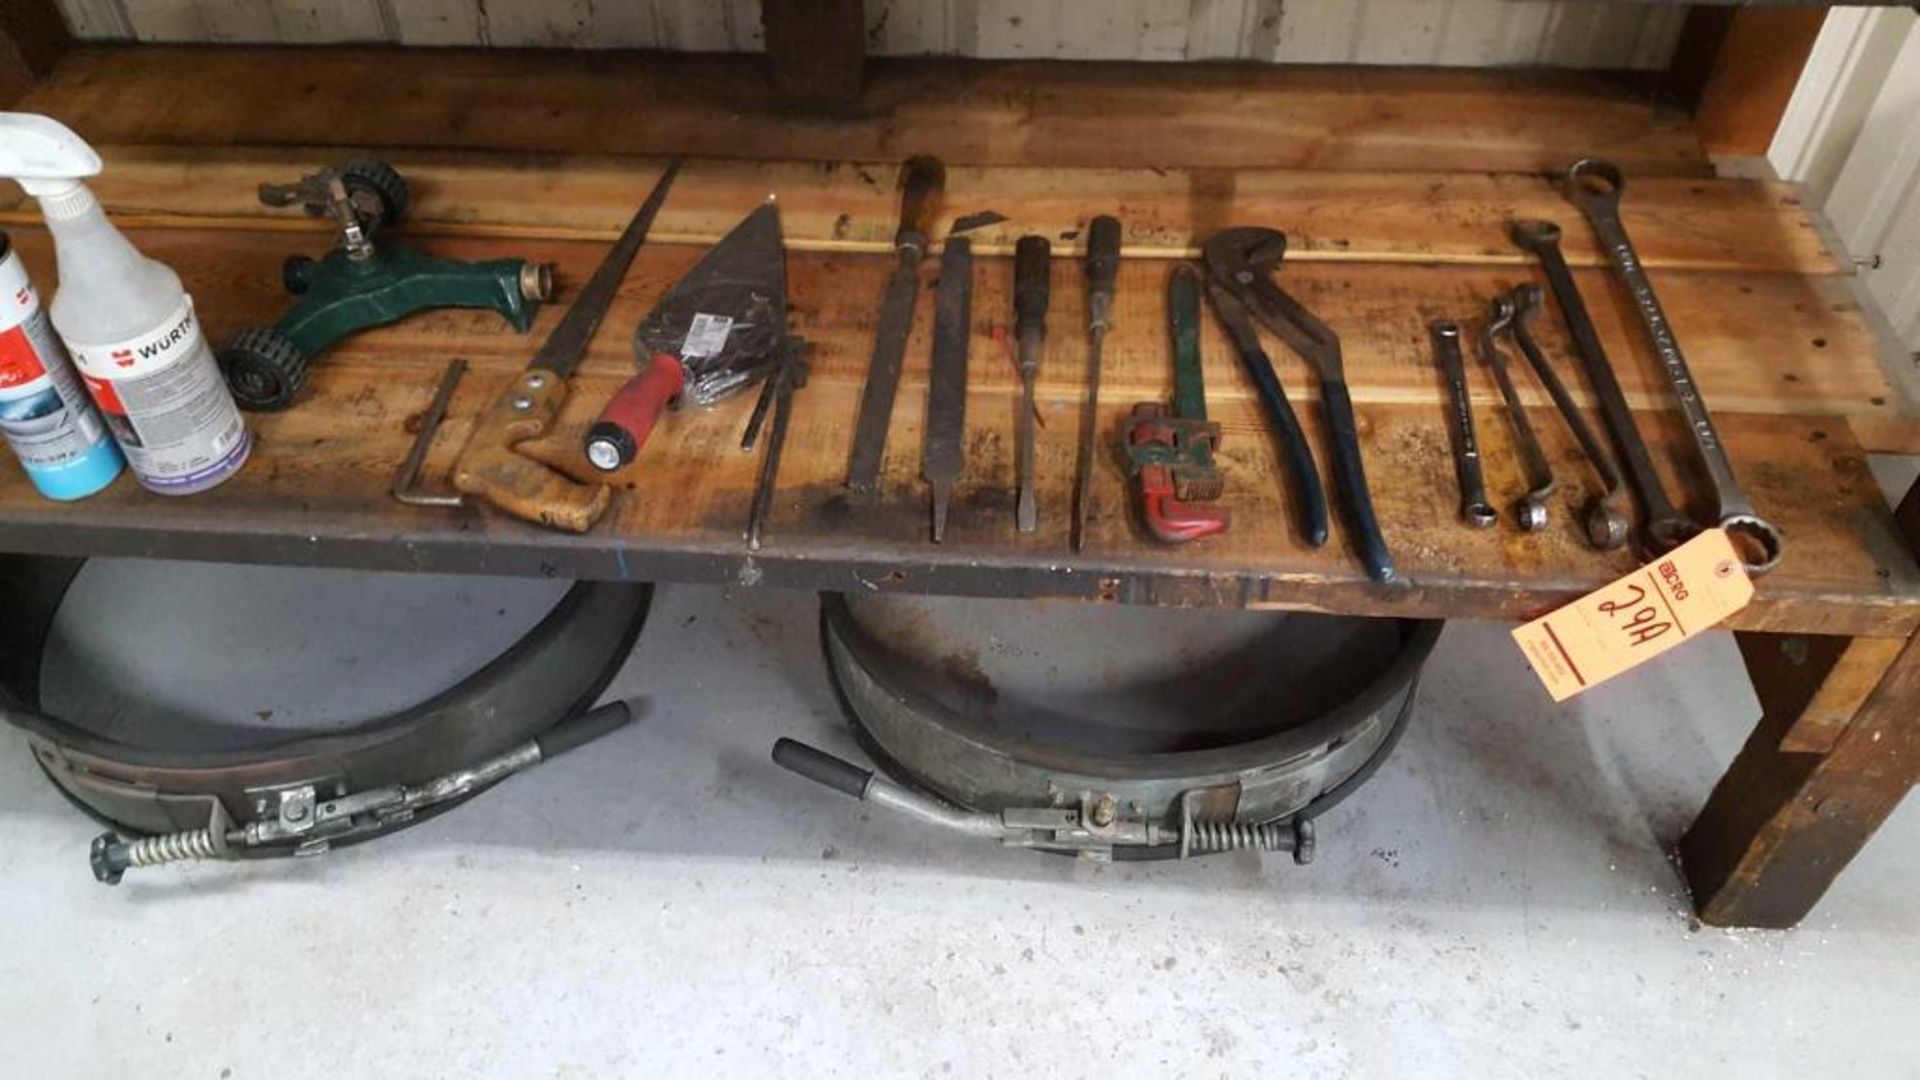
[921,203]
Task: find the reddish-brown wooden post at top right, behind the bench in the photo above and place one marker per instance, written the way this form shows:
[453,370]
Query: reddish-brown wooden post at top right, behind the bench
[1752,76]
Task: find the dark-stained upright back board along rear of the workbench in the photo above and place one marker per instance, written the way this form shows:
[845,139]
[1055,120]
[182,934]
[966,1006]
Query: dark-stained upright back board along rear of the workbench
[967,112]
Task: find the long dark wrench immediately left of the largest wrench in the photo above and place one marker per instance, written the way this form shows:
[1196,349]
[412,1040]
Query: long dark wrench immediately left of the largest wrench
[1664,526]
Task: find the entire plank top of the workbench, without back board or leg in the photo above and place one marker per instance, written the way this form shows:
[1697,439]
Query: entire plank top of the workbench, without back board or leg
[1777,343]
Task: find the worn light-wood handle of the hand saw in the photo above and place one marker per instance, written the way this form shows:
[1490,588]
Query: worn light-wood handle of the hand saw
[494,470]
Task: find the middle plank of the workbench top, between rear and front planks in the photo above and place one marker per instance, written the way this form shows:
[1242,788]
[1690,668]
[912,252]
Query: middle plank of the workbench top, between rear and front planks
[1727,320]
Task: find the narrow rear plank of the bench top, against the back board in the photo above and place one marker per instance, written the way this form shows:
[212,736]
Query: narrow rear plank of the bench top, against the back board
[850,207]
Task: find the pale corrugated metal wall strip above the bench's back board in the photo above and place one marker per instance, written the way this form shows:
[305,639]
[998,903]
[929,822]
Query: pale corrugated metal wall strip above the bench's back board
[1474,34]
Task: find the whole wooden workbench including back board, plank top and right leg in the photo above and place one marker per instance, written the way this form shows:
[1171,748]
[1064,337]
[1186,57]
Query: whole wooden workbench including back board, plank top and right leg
[1393,189]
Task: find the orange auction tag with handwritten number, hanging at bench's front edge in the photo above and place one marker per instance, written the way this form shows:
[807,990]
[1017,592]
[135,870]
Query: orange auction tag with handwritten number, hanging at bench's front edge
[1637,618]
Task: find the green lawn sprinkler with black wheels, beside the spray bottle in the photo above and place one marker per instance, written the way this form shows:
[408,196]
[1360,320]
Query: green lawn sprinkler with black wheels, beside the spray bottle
[358,285]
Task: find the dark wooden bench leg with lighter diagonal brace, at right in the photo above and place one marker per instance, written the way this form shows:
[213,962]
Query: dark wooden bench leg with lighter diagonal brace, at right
[1836,750]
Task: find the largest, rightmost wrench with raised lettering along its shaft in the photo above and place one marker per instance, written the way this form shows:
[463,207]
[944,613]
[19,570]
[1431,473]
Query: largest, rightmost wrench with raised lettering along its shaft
[1596,189]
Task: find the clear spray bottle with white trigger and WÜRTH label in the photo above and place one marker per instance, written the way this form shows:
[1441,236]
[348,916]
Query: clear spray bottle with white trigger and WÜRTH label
[128,324]
